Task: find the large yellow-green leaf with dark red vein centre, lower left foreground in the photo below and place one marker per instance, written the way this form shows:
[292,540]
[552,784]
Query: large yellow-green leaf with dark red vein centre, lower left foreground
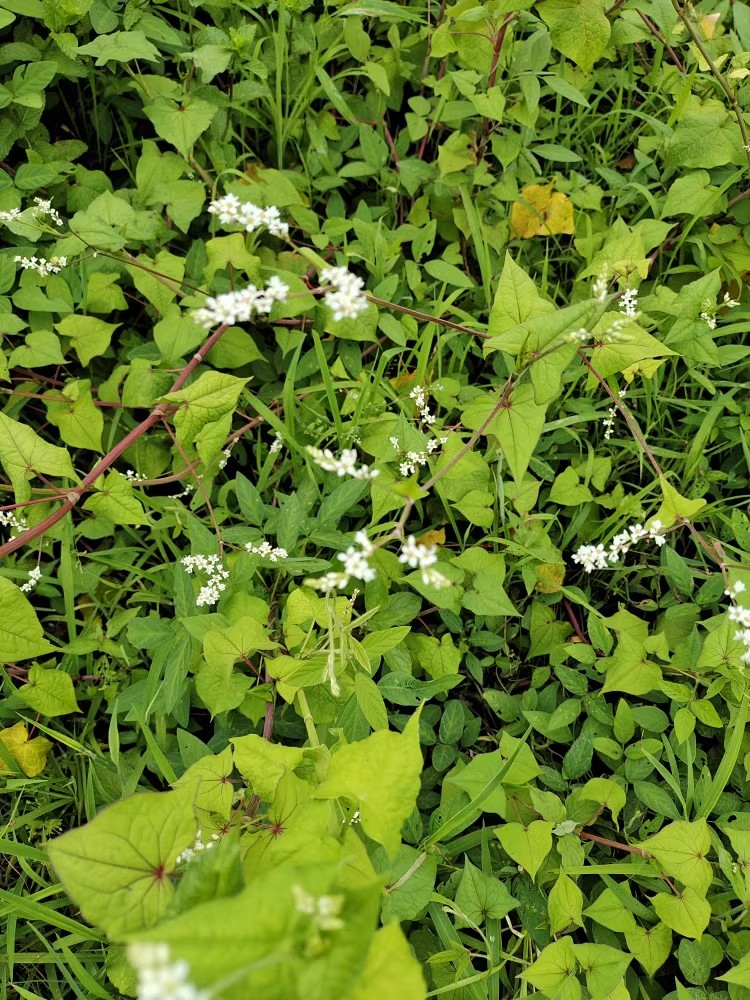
[117,867]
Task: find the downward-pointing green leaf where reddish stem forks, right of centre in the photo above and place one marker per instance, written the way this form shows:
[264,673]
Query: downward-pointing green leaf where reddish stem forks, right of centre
[517,426]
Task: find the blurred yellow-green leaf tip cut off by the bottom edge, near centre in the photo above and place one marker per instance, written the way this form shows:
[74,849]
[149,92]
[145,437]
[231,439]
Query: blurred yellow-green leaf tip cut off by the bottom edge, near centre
[391,970]
